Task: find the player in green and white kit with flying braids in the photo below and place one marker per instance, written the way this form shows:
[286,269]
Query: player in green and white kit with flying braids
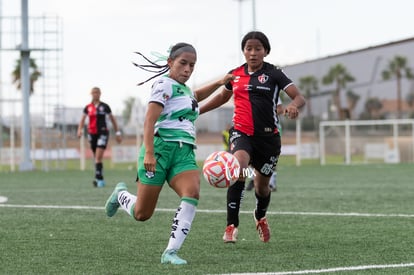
[167,153]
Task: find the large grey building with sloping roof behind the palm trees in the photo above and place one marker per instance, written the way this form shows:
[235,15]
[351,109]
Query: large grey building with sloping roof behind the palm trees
[366,66]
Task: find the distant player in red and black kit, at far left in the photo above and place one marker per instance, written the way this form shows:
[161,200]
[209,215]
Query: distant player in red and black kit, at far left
[98,132]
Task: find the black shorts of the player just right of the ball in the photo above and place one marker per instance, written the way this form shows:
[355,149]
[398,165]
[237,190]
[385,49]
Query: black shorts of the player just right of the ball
[264,151]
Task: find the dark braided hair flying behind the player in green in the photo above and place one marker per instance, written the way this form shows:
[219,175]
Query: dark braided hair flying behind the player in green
[158,69]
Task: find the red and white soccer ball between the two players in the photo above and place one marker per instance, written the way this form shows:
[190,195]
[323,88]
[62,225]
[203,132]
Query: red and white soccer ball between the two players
[221,169]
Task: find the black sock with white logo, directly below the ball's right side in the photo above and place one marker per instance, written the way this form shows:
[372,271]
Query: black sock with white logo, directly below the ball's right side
[234,197]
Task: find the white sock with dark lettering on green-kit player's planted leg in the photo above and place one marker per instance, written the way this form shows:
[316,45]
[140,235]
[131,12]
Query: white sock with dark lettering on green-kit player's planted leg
[182,224]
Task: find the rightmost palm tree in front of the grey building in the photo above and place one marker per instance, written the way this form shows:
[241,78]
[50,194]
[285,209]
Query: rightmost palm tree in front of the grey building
[398,68]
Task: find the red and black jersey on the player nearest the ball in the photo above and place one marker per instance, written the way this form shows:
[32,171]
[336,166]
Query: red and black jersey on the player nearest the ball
[255,98]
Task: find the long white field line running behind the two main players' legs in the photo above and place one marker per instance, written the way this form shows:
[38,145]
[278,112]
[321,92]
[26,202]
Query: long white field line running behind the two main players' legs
[291,213]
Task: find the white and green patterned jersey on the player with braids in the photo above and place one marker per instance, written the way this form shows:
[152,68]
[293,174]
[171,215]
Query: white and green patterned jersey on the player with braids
[176,122]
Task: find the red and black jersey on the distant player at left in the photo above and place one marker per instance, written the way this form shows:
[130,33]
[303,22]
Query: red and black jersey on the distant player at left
[97,117]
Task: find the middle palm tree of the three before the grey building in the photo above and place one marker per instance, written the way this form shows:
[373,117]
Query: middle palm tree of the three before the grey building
[338,75]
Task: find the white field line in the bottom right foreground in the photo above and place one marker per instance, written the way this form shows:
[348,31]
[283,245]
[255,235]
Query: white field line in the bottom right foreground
[329,270]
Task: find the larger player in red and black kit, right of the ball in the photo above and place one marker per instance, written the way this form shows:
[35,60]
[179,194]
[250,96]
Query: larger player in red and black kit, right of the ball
[254,138]
